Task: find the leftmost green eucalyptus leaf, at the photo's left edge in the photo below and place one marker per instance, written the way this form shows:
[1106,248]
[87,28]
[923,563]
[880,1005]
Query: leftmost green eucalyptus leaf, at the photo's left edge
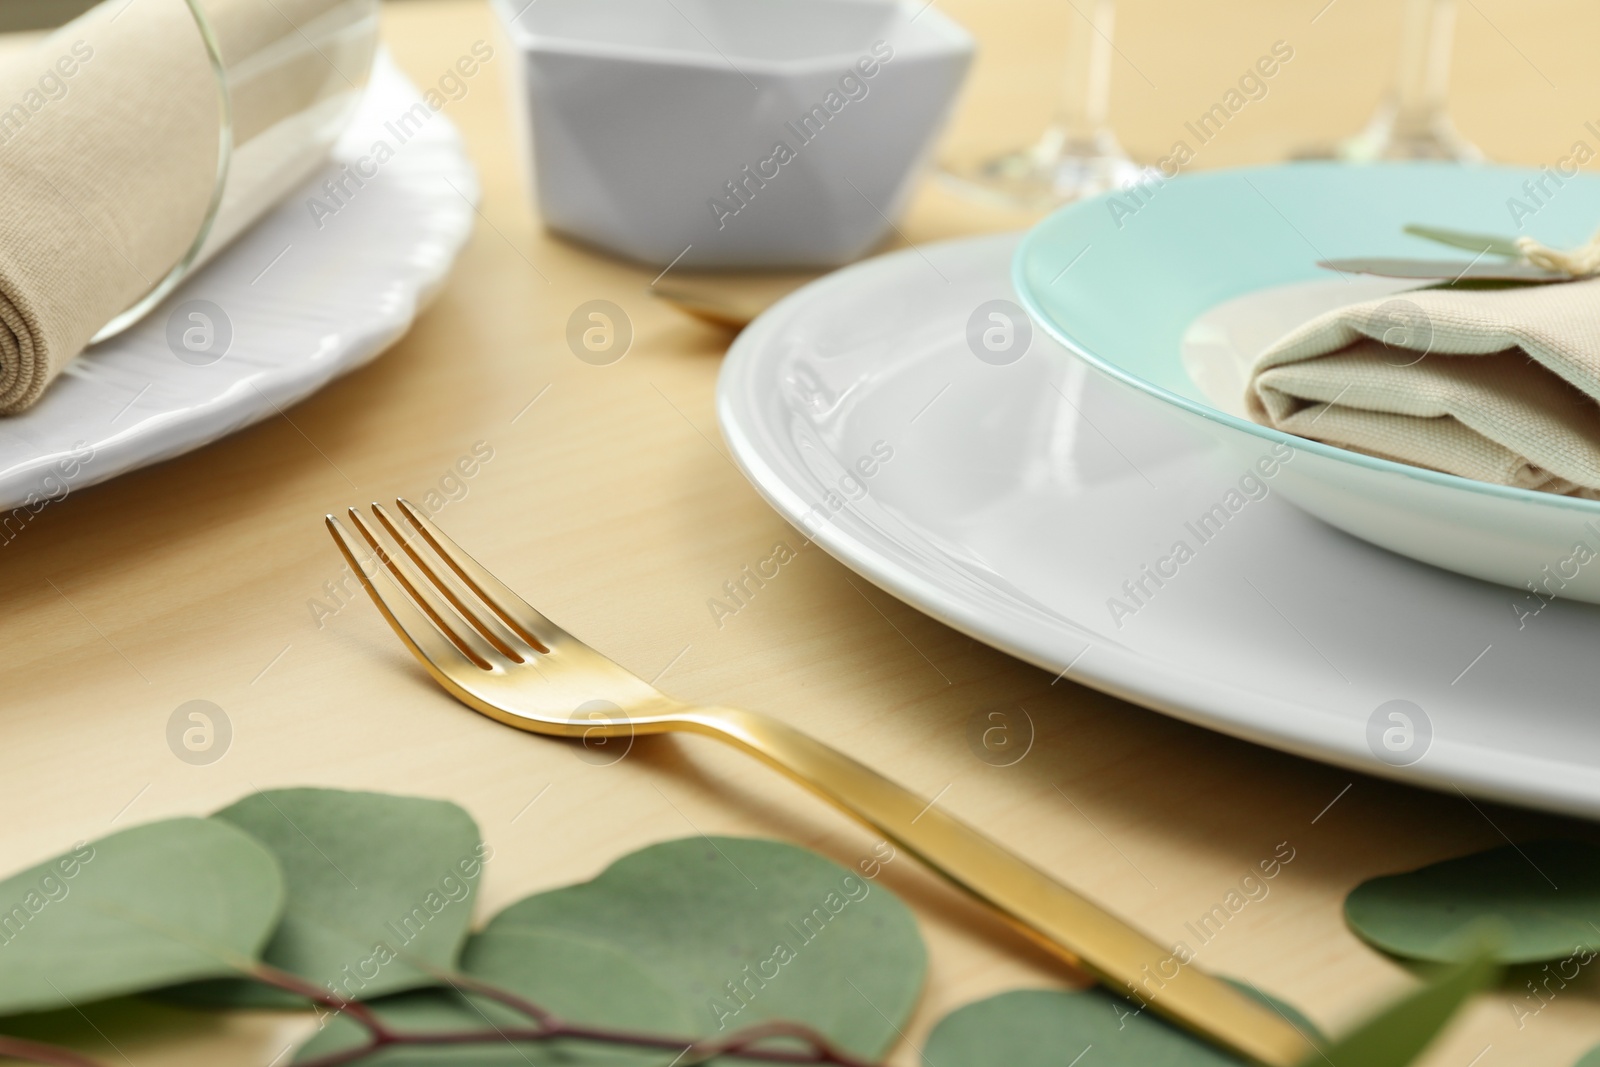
[150,906]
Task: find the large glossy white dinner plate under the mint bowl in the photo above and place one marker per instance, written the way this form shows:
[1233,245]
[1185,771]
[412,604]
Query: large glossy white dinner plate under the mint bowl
[1014,502]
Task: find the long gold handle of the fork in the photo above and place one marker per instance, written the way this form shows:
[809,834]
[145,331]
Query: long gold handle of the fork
[1070,925]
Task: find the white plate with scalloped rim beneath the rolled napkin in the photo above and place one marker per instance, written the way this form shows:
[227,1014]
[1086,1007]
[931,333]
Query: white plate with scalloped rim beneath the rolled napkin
[303,297]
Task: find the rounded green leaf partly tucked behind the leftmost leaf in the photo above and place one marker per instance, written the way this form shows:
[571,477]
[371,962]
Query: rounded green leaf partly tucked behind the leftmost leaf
[380,892]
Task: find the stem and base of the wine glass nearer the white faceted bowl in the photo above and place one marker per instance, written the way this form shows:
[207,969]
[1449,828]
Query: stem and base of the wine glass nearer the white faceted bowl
[1079,154]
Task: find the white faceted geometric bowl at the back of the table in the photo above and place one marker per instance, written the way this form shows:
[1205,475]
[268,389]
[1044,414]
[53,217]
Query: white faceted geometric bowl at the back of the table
[729,134]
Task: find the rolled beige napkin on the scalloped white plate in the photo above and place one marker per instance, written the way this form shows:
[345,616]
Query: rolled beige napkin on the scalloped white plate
[110,154]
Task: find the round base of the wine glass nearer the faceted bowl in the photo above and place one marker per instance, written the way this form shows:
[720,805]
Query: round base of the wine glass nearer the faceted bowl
[1038,182]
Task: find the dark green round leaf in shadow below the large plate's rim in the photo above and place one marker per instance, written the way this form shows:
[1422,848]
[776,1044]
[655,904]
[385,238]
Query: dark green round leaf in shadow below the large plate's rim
[1542,901]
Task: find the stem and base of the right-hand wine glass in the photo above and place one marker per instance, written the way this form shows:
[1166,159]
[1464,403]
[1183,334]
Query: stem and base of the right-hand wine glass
[1414,122]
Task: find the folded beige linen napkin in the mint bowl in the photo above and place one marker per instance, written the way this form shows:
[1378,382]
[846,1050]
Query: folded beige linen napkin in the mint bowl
[1492,385]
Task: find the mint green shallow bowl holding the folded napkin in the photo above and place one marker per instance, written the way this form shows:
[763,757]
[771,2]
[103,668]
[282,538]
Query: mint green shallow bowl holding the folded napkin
[1121,279]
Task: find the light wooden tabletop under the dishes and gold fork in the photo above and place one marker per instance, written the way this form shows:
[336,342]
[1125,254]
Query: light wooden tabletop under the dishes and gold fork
[612,506]
